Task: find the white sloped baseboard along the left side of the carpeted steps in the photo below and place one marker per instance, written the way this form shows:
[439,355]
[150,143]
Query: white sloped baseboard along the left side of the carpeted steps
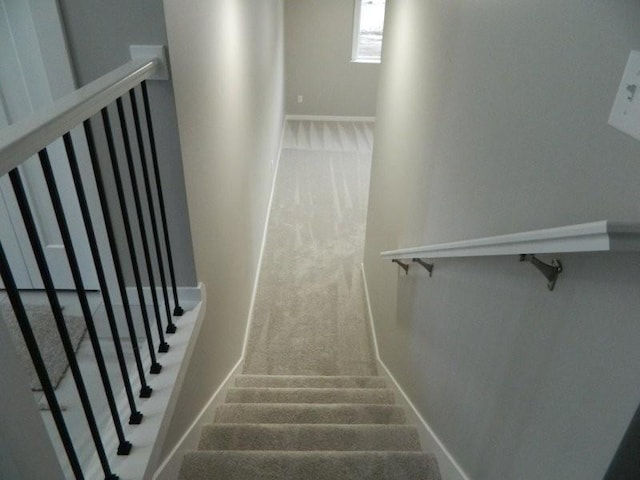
[170,467]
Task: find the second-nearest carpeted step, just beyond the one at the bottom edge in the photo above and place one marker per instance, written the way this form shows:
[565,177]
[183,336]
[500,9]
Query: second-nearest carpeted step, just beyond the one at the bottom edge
[309,437]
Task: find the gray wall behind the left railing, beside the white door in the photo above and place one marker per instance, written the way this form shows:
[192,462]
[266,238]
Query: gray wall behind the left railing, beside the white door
[98,35]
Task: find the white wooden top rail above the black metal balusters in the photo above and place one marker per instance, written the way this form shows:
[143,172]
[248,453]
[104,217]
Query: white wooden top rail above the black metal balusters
[25,138]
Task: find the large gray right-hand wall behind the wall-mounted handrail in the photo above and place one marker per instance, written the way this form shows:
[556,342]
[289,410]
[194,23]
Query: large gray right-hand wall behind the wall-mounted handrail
[492,119]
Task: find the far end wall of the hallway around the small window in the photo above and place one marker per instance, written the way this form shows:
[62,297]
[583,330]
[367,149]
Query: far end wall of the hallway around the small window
[318,61]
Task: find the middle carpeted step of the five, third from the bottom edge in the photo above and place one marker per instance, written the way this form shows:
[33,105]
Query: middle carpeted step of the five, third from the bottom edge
[308,413]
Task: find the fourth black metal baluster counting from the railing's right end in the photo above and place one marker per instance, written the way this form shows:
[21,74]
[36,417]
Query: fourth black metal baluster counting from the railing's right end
[155,366]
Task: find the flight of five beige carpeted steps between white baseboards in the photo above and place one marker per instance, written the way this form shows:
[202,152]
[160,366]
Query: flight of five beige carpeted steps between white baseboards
[309,427]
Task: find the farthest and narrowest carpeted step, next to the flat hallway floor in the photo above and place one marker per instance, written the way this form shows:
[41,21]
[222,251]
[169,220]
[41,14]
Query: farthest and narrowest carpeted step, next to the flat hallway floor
[305,381]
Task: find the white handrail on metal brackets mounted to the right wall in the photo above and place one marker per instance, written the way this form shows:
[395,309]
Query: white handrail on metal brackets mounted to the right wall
[601,236]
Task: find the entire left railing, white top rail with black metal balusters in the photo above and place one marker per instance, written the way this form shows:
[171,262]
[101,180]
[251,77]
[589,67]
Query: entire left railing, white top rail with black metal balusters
[74,119]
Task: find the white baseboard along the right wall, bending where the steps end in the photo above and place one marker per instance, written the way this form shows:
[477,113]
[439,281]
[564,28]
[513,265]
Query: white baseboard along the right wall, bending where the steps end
[449,467]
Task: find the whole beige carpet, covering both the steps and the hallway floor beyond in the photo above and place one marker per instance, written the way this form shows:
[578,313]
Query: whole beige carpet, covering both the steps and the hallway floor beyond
[309,403]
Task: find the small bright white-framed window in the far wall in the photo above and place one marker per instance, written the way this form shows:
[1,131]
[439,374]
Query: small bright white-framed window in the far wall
[368,23]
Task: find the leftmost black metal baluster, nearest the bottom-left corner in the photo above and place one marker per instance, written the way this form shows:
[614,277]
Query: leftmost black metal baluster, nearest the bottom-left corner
[32,346]
